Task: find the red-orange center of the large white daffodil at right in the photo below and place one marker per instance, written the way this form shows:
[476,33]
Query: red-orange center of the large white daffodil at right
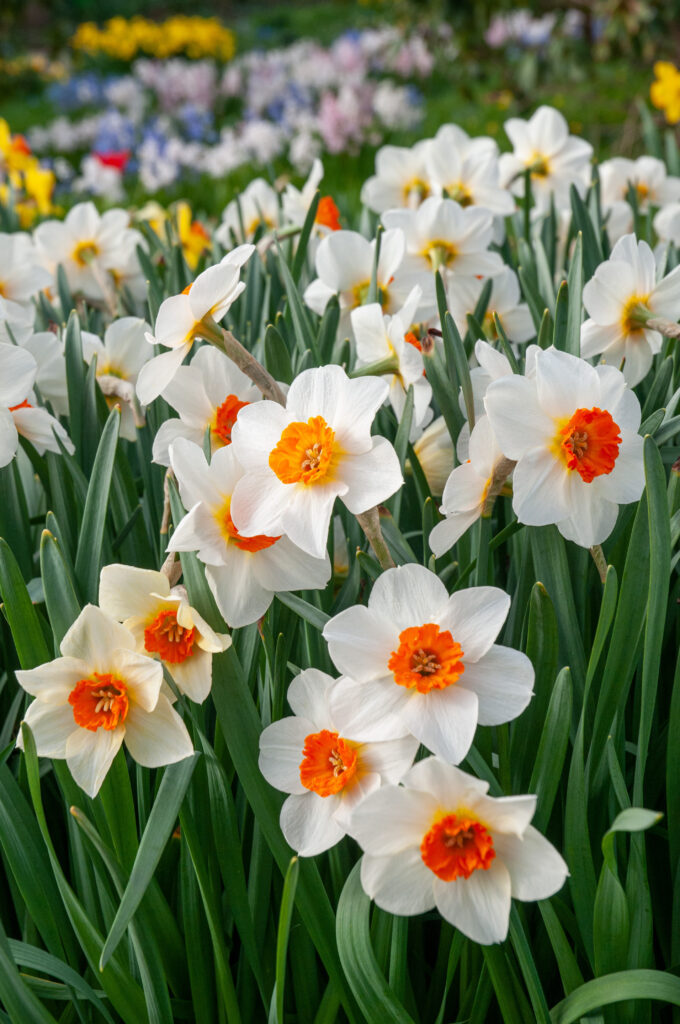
[589,443]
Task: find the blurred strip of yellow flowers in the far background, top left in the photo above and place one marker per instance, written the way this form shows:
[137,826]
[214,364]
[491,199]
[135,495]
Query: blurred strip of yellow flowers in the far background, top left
[182,35]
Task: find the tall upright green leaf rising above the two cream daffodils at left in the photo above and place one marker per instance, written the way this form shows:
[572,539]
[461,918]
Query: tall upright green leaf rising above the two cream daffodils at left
[89,557]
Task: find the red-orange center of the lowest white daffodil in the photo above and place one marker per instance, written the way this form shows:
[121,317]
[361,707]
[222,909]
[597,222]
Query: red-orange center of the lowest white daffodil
[456,846]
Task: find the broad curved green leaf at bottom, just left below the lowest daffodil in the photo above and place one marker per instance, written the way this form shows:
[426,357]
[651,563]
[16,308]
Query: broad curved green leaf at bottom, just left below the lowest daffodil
[376,999]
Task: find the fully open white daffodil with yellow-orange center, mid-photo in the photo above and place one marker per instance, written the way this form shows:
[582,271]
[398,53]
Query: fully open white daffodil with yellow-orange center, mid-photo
[300,459]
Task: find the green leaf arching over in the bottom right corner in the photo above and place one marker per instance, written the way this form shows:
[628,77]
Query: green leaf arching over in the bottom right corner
[617,989]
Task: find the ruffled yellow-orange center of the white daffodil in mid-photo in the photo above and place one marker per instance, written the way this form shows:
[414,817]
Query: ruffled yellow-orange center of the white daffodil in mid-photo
[307,453]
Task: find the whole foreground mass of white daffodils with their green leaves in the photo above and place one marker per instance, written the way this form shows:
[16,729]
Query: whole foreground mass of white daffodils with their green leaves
[339,580]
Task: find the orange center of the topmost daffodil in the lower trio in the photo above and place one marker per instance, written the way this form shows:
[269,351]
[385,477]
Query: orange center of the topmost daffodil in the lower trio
[428,659]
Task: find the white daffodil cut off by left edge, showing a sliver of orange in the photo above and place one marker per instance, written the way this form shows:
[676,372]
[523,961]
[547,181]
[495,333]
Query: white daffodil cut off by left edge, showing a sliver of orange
[21,416]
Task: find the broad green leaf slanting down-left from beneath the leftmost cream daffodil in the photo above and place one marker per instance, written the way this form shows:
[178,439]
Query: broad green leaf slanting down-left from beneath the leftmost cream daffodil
[159,828]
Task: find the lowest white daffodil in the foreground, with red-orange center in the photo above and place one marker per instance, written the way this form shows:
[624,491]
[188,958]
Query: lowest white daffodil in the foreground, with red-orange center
[440,841]
